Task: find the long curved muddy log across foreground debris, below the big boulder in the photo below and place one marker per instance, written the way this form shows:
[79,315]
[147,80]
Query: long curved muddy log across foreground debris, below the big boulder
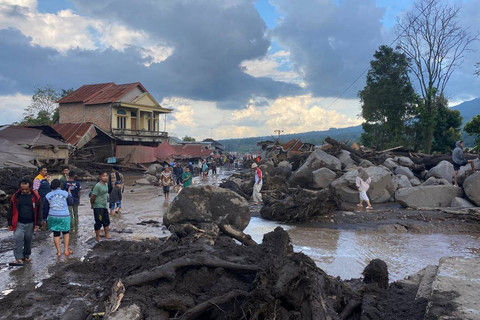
[168,270]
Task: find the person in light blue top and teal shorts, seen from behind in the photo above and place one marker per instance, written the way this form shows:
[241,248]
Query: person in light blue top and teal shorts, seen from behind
[59,216]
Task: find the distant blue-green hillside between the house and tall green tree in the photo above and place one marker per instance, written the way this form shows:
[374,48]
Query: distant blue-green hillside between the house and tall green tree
[315,137]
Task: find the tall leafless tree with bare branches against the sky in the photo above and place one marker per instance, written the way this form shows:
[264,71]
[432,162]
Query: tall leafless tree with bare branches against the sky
[432,37]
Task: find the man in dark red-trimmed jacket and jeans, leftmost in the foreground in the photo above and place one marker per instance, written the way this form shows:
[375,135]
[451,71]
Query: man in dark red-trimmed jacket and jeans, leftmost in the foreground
[24,218]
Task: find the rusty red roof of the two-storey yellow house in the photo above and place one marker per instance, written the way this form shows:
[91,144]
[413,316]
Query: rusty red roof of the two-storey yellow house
[100,93]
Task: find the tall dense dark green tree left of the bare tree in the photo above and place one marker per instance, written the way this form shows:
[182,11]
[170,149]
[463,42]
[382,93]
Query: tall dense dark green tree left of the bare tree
[388,100]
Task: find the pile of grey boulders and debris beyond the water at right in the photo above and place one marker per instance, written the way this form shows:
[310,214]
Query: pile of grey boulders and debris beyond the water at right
[324,180]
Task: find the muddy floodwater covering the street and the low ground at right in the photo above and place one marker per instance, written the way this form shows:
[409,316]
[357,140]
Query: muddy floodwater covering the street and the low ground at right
[342,253]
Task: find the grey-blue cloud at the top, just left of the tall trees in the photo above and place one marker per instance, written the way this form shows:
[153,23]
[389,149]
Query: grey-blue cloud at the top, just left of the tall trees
[331,42]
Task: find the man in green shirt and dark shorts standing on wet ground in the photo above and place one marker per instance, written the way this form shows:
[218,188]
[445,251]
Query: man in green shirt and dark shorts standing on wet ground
[99,203]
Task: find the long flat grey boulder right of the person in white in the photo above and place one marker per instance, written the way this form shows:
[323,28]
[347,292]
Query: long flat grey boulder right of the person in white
[428,196]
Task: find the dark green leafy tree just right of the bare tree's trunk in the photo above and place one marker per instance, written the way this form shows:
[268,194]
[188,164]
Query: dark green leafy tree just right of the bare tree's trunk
[447,126]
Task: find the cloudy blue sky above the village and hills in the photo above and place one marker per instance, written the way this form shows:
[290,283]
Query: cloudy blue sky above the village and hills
[228,68]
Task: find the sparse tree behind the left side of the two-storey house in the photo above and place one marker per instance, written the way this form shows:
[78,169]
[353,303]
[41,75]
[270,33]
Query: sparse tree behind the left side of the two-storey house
[43,109]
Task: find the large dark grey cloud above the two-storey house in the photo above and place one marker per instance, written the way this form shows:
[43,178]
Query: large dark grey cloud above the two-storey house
[210,40]
